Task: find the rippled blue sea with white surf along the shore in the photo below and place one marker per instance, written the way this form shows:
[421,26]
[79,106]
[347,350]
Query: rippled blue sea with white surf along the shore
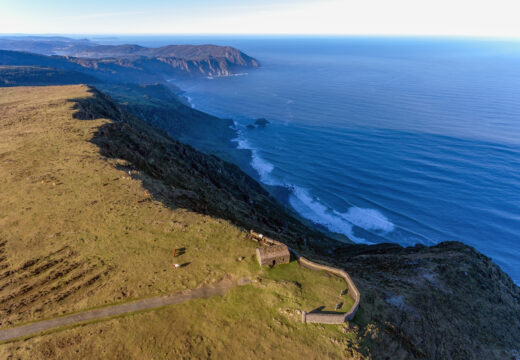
[406,140]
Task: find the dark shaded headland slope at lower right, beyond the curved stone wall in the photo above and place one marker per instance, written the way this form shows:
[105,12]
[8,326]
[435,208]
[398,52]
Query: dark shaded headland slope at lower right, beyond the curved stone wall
[442,302]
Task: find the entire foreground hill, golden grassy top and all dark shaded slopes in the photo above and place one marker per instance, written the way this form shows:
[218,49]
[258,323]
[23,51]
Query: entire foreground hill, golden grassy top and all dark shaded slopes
[95,199]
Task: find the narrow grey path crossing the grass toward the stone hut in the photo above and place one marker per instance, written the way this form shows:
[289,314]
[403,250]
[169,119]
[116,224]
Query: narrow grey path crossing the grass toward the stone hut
[220,288]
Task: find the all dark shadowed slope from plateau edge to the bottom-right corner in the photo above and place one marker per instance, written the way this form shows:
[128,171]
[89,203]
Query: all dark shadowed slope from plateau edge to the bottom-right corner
[179,176]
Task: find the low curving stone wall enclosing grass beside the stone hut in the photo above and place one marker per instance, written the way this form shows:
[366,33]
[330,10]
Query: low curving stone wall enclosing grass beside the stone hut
[323,317]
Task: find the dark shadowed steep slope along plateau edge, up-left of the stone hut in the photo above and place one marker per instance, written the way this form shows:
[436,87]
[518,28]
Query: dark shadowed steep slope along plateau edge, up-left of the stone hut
[182,177]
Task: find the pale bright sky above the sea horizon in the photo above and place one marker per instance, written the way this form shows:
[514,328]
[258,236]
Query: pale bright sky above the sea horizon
[489,18]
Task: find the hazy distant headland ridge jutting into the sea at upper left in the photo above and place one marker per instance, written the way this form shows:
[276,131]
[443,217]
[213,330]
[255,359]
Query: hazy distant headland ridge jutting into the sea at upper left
[167,61]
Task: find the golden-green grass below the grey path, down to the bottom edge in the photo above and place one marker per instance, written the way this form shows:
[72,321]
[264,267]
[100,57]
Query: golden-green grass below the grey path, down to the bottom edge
[250,322]
